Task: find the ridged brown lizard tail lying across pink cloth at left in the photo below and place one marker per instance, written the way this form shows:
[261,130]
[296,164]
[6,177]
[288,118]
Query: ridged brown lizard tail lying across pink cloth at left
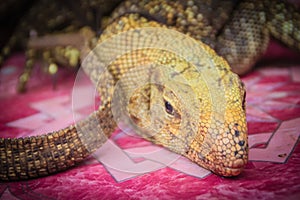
[36,156]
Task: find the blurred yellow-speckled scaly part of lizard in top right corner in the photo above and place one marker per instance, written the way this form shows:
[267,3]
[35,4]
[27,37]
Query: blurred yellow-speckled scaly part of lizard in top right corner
[283,22]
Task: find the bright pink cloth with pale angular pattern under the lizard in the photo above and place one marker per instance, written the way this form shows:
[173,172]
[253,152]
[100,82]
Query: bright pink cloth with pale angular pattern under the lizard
[128,167]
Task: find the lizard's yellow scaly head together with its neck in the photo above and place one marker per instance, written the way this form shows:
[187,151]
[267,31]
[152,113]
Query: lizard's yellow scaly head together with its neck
[176,92]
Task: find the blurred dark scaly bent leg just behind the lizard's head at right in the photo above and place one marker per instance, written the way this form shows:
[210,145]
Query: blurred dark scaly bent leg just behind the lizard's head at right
[243,40]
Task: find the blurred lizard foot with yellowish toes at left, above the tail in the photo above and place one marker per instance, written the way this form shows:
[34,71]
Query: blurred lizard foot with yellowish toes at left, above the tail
[56,49]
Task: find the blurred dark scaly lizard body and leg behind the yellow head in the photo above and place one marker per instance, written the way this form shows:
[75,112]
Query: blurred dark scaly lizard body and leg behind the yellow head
[239,32]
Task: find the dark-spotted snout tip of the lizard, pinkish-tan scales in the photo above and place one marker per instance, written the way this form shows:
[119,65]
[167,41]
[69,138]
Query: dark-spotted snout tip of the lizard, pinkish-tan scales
[225,153]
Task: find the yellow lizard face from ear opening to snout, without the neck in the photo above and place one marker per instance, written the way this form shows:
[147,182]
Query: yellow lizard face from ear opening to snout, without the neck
[200,117]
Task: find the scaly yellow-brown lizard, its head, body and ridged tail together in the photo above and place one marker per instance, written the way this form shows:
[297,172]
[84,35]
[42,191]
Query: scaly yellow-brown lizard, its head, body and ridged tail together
[193,103]
